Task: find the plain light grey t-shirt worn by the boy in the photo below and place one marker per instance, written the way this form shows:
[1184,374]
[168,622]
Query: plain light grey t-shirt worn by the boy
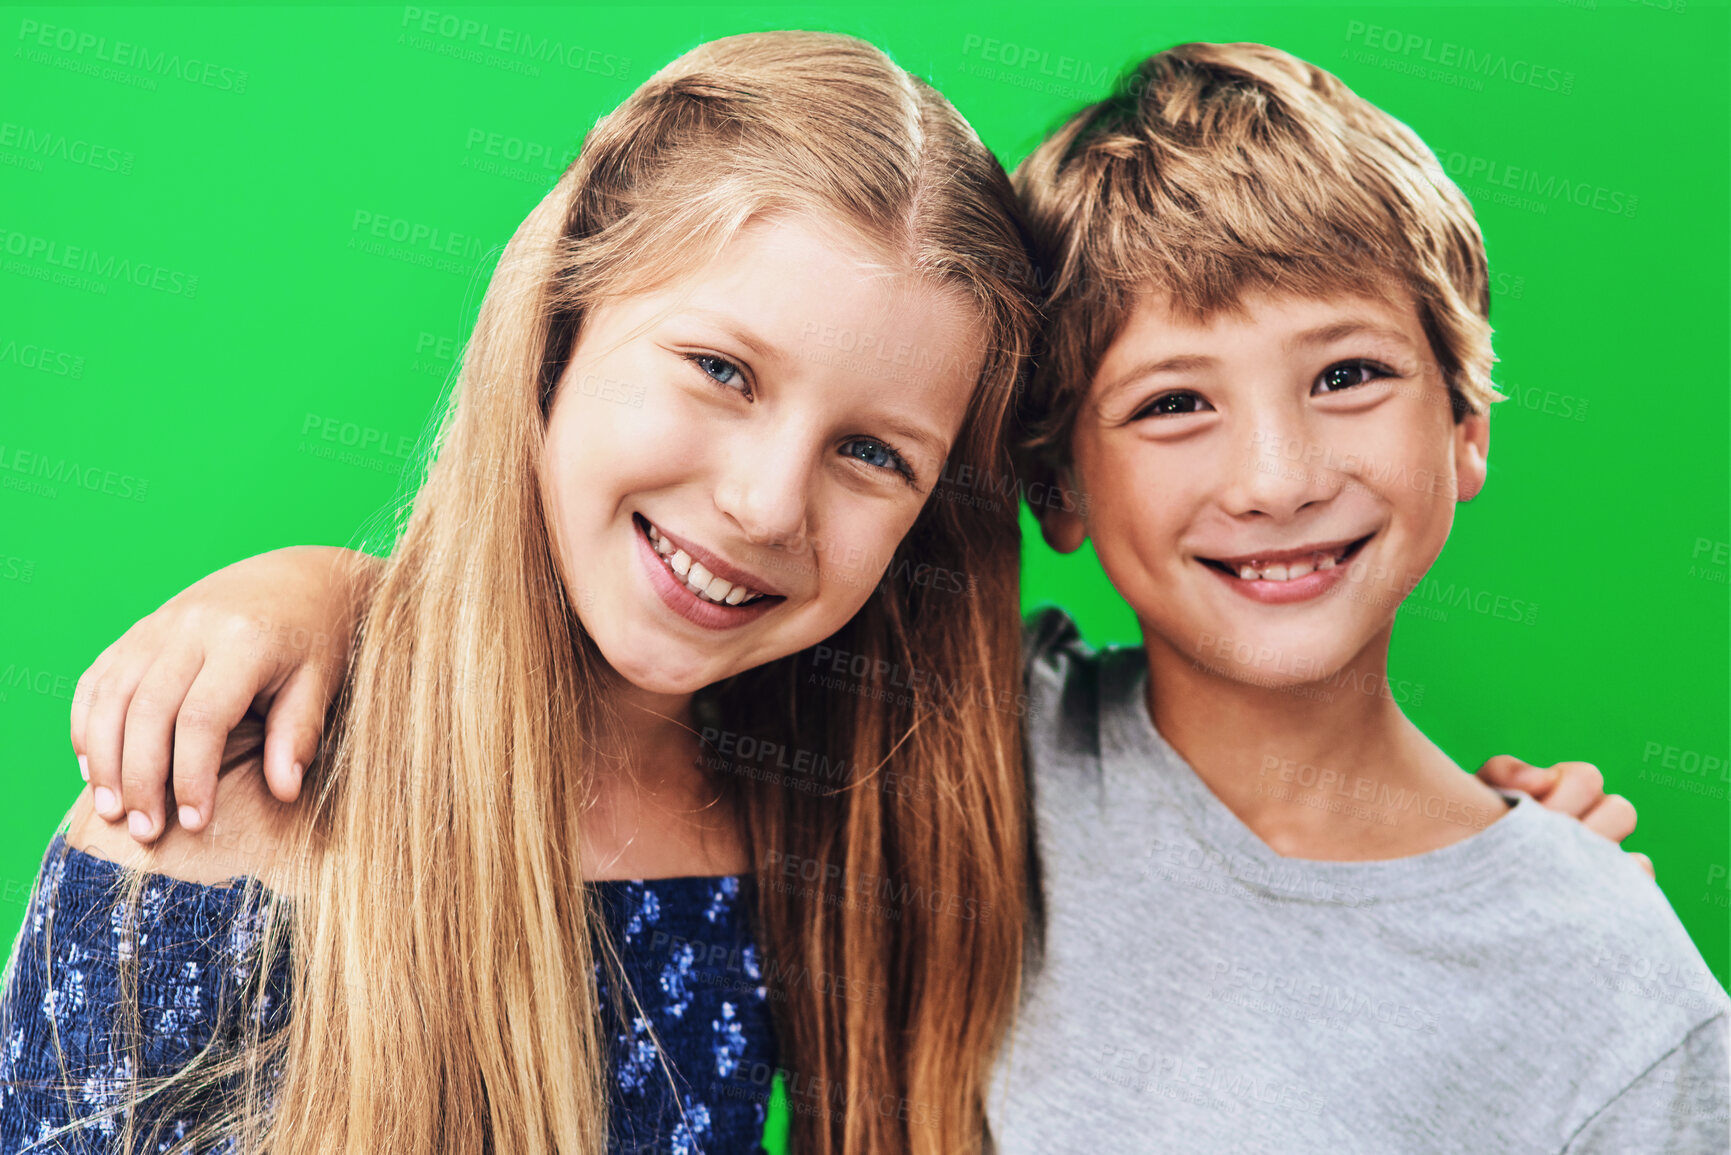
[1526,990]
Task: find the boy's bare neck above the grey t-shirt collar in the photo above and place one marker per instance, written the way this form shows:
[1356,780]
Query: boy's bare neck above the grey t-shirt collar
[1327,770]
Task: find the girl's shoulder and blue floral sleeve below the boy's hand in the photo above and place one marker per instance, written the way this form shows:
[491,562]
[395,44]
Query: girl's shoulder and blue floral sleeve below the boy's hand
[190,948]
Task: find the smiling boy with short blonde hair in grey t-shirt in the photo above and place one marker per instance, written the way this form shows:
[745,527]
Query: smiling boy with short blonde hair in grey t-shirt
[1278,919]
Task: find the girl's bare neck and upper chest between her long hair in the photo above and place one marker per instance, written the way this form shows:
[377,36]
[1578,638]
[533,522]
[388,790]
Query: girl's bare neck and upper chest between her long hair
[660,815]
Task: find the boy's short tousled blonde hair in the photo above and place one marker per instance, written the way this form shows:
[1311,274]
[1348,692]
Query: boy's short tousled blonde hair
[1223,169]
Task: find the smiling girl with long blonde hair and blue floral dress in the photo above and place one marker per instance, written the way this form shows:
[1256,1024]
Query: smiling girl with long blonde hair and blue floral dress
[655,500]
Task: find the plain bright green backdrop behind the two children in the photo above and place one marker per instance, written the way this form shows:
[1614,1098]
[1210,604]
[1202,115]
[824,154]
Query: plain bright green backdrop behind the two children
[184,420]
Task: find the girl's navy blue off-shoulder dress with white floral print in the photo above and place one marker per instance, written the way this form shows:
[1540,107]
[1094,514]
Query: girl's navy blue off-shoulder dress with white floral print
[692,976]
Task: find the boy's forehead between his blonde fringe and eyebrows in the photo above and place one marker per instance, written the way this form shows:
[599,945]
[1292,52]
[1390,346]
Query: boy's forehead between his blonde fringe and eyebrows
[1161,333]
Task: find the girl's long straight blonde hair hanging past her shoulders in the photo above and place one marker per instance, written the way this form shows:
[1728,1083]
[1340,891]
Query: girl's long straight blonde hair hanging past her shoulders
[442,941]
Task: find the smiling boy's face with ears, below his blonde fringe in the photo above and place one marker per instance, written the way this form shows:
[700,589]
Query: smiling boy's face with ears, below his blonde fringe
[1264,487]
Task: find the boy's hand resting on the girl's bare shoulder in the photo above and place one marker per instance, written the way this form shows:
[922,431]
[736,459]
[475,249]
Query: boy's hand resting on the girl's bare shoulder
[267,636]
